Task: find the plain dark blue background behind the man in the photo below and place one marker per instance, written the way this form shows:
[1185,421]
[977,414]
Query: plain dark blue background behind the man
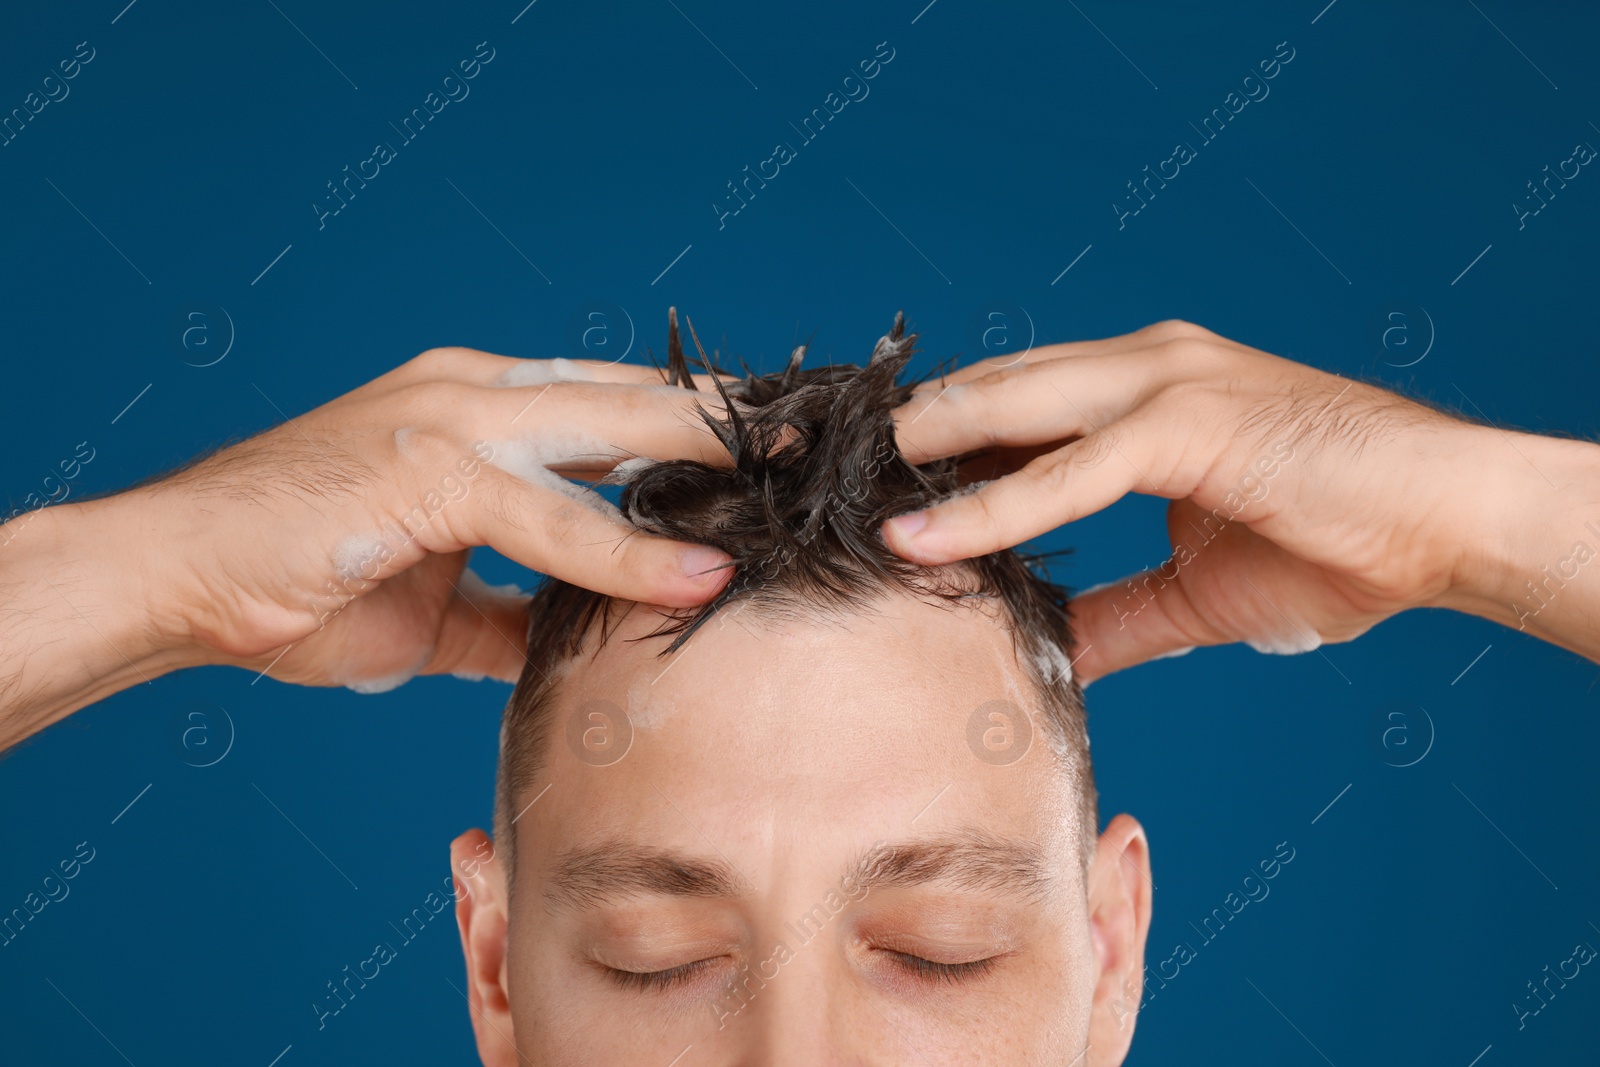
[998,138]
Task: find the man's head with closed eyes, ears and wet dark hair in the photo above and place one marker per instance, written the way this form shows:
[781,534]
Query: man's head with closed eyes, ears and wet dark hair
[844,813]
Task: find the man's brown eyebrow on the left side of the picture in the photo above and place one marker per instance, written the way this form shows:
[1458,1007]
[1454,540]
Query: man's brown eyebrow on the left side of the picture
[617,869]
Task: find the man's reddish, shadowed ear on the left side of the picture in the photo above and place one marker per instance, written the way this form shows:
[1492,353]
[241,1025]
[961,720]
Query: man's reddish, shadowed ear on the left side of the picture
[482,914]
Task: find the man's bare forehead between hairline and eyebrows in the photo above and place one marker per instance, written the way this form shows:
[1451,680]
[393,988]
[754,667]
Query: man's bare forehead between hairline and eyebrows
[764,732]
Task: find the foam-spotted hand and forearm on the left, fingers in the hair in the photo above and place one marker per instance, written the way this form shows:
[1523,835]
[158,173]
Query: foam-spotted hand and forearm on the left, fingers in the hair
[238,561]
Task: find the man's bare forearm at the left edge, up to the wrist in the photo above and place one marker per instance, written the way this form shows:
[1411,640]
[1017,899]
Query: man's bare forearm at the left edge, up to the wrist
[76,621]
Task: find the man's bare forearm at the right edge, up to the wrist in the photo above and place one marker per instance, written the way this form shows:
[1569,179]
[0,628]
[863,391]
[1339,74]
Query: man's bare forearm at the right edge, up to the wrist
[1534,522]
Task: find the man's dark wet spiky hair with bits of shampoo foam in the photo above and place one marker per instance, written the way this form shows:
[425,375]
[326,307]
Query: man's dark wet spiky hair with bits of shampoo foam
[815,473]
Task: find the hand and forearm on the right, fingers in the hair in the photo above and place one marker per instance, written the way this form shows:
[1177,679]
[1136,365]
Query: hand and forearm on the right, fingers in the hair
[1383,506]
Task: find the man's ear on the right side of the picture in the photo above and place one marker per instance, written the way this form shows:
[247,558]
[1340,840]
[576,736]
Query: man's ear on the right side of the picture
[1119,901]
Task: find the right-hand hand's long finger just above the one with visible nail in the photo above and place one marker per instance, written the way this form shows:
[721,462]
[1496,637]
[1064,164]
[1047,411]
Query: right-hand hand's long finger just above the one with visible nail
[1030,406]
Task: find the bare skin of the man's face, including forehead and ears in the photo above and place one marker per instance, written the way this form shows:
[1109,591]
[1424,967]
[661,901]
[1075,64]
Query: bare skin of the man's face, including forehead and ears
[785,770]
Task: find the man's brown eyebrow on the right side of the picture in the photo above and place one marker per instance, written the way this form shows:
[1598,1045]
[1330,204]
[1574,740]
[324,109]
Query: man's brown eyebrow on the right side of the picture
[969,860]
